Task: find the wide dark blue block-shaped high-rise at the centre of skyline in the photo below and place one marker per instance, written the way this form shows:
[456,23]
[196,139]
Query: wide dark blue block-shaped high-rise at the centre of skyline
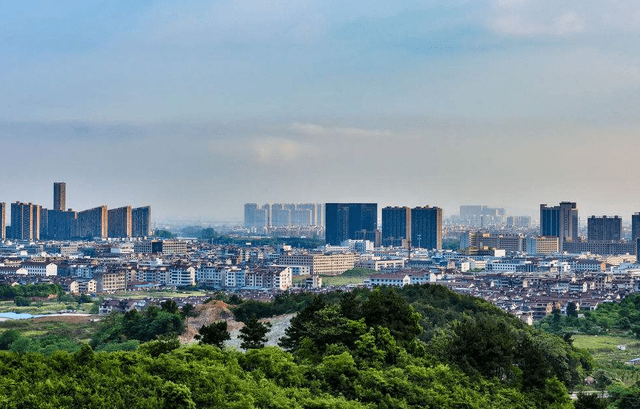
[343,220]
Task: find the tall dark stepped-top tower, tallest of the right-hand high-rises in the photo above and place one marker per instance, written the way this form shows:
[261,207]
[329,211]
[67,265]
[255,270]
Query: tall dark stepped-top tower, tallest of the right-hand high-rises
[559,221]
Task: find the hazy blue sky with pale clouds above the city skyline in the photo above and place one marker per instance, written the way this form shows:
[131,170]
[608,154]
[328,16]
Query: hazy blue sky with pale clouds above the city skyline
[197,107]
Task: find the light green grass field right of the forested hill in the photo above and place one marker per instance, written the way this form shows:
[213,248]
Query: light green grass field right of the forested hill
[609,358]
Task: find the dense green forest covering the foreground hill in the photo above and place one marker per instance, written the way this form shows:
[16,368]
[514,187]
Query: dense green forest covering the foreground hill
[416,347]
